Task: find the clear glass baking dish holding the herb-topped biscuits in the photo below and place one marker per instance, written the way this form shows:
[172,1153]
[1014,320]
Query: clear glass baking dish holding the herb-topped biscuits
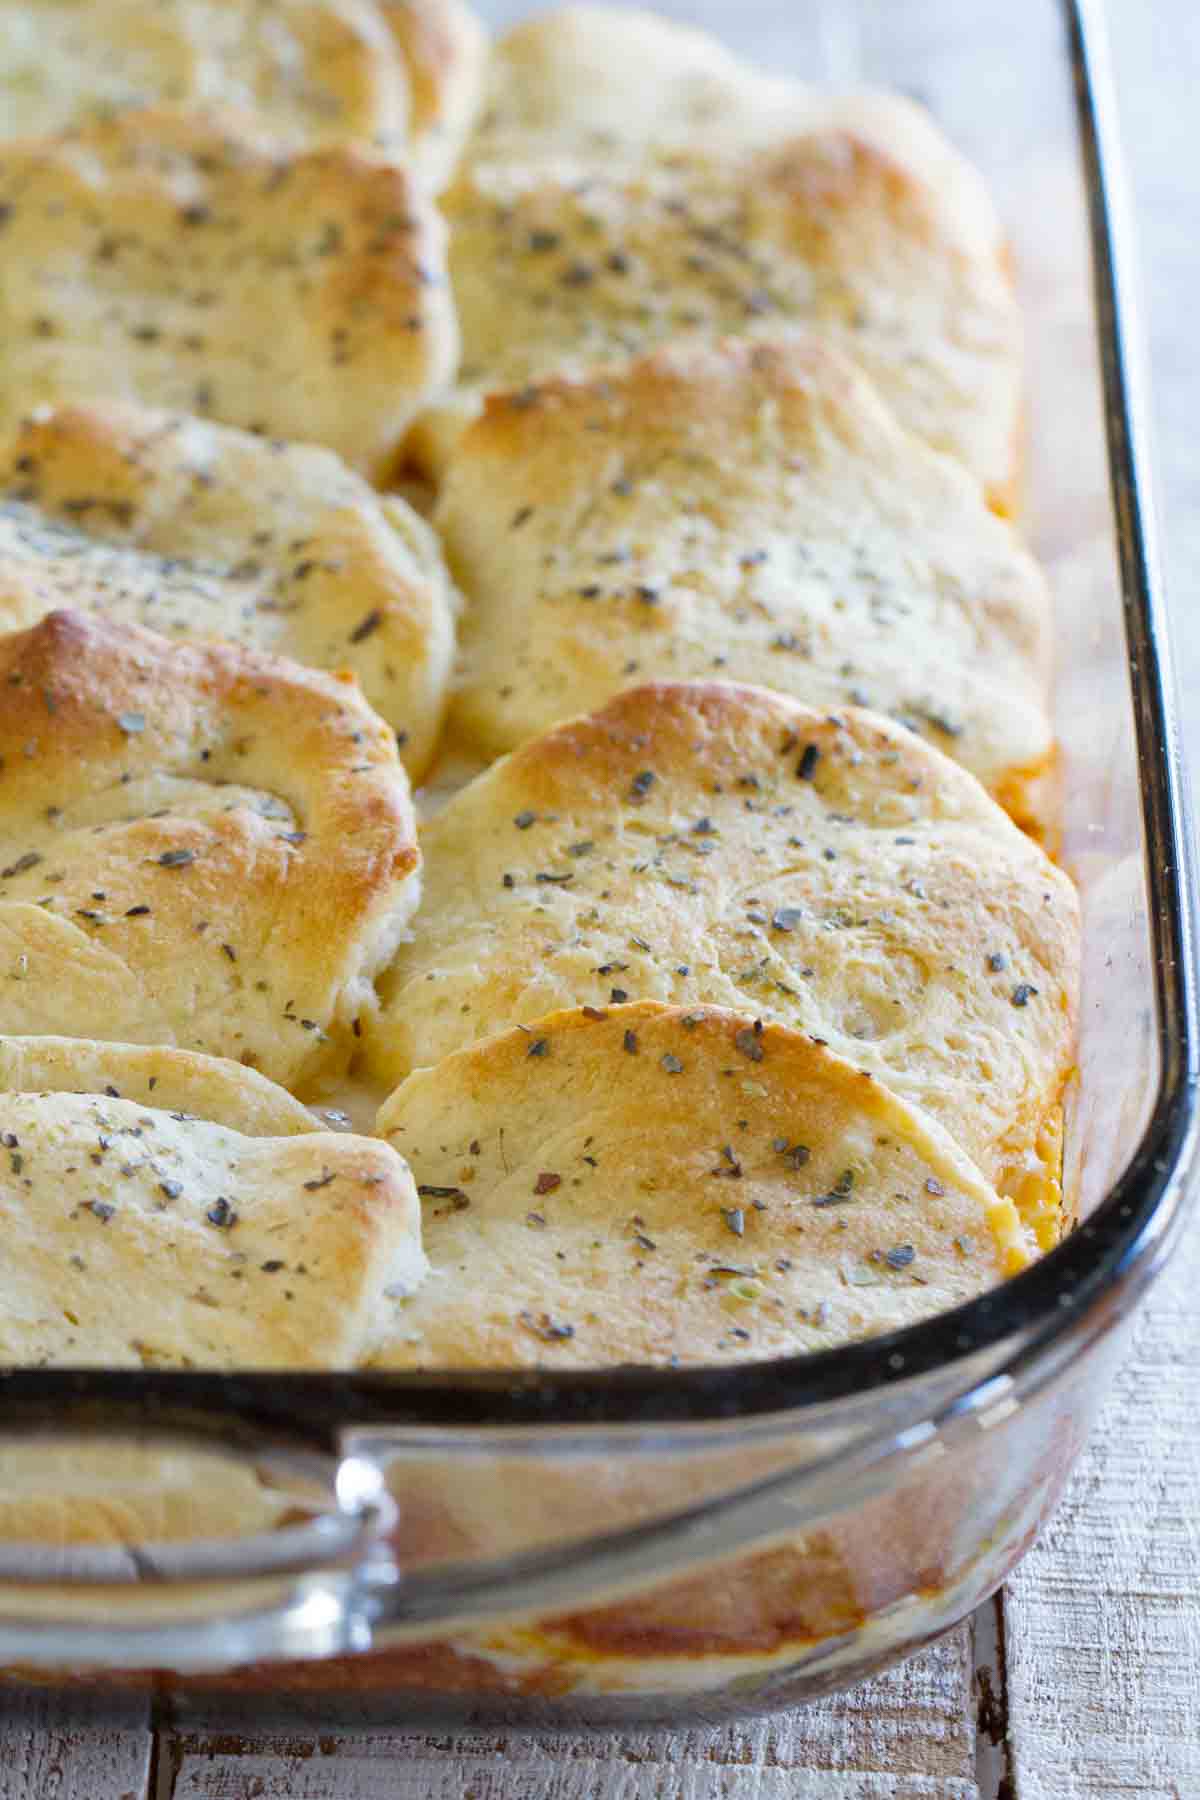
[569,1549]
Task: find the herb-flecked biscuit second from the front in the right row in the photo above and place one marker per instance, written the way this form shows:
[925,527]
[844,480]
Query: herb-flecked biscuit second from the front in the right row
[721,845]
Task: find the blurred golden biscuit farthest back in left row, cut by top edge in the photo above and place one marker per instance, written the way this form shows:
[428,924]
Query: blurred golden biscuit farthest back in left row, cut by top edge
[400,75]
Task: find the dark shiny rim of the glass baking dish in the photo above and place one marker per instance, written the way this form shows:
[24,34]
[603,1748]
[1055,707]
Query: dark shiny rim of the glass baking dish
[1048,1300]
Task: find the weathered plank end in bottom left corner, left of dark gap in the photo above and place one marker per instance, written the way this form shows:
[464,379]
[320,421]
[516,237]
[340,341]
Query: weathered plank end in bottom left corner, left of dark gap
[71,1747]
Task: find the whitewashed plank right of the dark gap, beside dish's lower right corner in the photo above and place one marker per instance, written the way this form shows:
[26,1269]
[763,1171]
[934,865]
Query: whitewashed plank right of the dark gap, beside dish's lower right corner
[1104,1617]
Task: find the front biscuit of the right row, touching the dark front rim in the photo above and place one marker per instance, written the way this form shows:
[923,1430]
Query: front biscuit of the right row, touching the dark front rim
[654,1185]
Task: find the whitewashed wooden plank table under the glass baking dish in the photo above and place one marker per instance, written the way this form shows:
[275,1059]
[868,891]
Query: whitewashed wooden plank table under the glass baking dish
[1084,1680]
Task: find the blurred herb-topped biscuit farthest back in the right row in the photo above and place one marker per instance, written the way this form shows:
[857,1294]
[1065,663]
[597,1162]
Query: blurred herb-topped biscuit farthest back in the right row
[848,215]
